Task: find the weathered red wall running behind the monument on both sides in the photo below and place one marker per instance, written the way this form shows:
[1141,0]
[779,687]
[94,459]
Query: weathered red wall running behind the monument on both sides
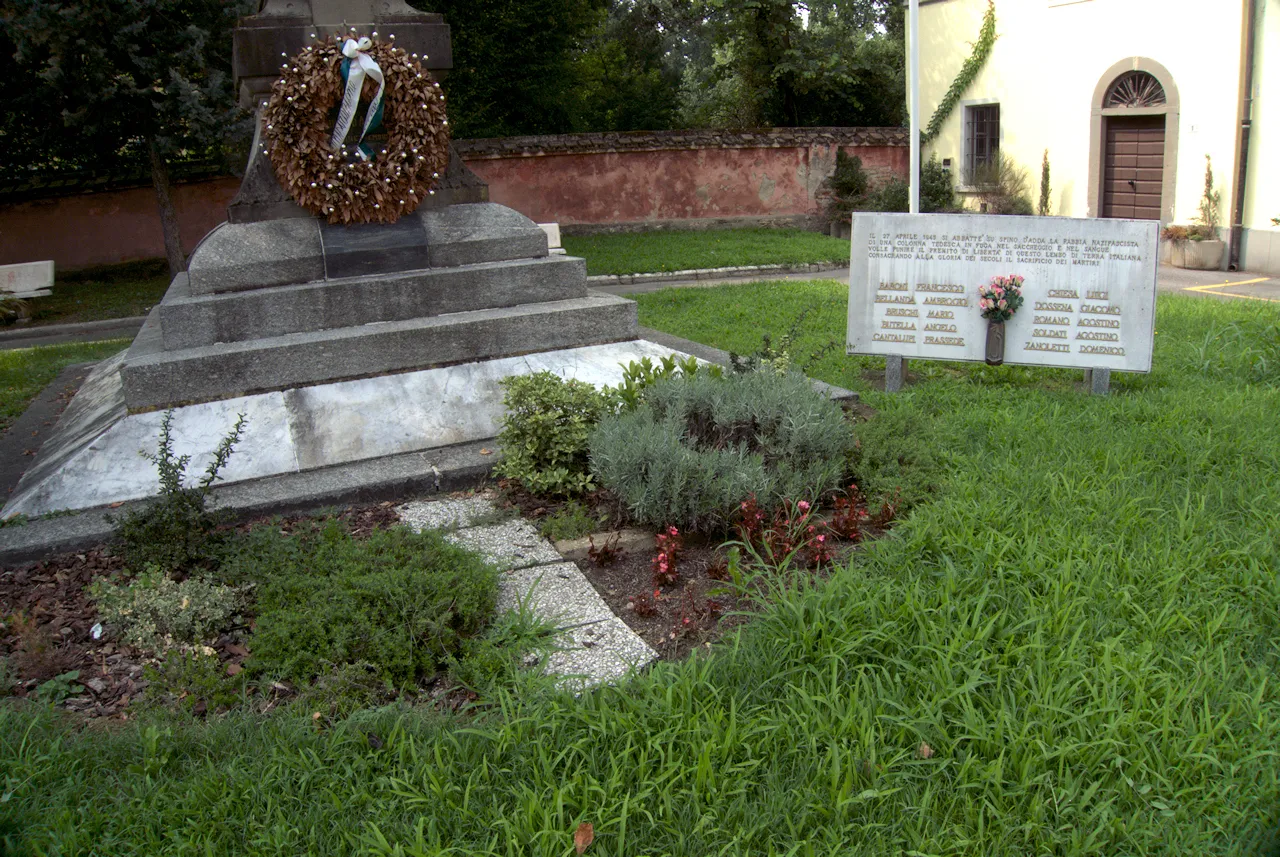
[616,178]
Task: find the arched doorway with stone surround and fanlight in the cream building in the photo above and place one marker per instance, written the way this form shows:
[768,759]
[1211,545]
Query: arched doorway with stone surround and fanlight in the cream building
[1135,143]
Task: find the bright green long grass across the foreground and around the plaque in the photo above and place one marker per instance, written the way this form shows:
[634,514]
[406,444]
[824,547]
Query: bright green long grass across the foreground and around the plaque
[1069,648]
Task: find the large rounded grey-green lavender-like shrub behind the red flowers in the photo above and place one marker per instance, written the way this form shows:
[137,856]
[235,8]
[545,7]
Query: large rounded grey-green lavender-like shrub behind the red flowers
[698,447]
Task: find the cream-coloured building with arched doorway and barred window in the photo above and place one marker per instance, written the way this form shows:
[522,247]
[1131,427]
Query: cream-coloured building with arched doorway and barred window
[1128,97]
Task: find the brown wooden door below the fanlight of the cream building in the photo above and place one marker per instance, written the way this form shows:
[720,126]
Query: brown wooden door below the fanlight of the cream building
[1133,167]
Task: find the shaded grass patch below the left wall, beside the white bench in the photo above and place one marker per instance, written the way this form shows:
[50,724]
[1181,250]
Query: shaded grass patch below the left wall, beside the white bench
[104,292]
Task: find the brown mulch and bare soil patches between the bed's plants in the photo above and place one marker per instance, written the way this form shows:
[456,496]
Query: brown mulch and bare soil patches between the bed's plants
[47,617]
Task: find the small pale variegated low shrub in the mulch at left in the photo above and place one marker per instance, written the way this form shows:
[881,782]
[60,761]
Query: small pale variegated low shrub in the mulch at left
[156,613]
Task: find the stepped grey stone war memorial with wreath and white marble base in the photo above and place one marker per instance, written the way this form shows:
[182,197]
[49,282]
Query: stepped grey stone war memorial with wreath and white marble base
[363,301]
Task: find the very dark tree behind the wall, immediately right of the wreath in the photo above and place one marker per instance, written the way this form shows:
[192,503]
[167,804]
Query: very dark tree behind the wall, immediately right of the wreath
[515,63]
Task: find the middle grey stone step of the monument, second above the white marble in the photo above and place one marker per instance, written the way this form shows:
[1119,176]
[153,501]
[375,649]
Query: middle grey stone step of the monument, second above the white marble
[190,322]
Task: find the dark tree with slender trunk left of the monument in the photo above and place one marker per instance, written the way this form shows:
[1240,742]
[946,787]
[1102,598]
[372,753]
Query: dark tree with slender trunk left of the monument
[130,83]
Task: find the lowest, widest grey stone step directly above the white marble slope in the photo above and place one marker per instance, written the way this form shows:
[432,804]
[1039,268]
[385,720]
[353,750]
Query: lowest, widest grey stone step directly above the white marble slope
[156,378]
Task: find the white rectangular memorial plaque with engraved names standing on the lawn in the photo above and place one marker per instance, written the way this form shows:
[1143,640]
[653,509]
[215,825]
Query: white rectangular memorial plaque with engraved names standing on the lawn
[1090,288]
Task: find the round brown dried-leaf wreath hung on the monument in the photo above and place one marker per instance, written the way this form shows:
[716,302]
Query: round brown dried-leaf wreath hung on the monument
[331,185]
